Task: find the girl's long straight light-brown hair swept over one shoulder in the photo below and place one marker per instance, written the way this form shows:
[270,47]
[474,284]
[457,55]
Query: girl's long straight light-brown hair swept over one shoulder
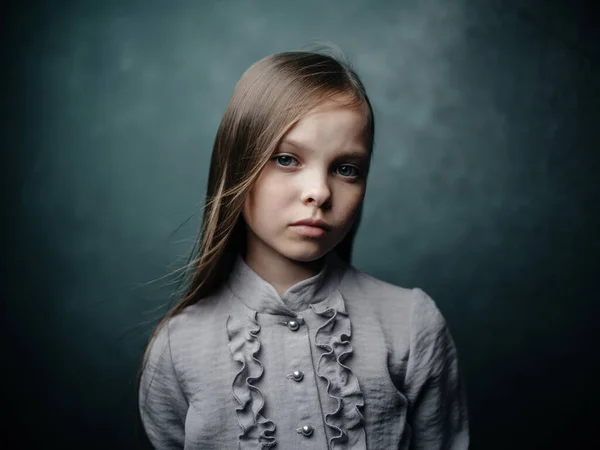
[270,97]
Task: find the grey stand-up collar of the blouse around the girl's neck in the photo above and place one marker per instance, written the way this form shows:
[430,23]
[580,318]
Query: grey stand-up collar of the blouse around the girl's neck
[258,294]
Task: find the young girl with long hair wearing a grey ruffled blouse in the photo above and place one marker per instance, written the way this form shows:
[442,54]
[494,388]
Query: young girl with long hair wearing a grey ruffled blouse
[279,340]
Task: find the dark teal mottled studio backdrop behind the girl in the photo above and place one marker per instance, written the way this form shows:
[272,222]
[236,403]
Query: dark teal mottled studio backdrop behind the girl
[483,192]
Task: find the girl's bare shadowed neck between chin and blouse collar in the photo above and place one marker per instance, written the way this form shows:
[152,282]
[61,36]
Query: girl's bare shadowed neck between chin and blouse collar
[279,271]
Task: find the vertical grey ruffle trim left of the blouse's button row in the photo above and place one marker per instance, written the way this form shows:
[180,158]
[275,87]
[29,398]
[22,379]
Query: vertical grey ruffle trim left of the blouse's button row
[243,346]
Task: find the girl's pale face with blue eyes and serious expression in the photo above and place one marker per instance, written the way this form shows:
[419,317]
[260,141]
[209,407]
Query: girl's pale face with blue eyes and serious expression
[317,172]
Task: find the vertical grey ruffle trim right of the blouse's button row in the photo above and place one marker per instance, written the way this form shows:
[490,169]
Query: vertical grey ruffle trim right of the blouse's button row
[342,385]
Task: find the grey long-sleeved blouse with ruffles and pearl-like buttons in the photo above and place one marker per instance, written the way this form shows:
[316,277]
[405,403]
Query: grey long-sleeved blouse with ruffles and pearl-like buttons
[340,361]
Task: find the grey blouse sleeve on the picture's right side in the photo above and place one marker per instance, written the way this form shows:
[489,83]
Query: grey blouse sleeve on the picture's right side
[437,413]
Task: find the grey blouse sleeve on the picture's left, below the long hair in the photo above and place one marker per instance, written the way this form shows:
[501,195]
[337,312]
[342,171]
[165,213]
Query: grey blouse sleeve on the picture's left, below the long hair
[162,404]
